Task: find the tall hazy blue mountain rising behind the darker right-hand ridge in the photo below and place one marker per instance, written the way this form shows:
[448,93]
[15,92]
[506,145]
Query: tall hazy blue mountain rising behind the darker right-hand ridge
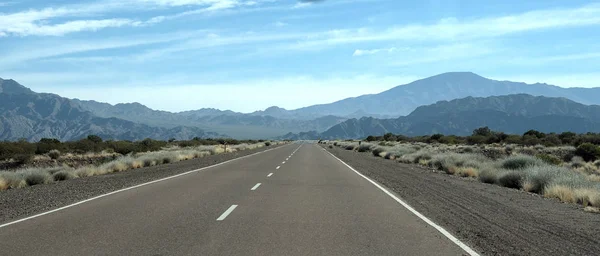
[403,99]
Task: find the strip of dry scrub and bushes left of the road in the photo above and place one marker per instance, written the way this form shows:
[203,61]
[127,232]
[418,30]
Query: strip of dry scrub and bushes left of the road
[69,160]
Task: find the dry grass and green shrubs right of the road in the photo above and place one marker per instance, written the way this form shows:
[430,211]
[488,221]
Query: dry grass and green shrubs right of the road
[567,169]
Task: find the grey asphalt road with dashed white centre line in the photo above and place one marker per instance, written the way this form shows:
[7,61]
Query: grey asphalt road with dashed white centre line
[293,200]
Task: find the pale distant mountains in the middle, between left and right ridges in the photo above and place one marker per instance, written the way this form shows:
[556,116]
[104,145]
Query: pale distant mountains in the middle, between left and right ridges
[257,125]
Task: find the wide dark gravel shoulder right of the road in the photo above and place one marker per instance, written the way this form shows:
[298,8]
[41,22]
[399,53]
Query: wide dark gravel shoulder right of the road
[492,220]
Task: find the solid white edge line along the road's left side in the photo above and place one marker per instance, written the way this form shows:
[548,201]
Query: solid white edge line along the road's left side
[129,188]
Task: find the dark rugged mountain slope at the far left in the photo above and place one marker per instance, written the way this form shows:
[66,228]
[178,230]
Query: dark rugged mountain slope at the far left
[32,116]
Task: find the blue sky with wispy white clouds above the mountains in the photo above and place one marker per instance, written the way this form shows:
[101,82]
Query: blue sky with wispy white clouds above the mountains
[246,55]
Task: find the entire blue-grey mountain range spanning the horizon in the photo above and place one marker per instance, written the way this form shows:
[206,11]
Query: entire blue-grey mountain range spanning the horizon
[26,114]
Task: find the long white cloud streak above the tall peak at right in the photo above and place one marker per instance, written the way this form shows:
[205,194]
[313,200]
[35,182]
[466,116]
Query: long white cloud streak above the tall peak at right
[452,29]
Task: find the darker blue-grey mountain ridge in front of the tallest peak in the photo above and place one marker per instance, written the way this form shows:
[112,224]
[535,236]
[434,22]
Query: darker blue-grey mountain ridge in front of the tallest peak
[513,114]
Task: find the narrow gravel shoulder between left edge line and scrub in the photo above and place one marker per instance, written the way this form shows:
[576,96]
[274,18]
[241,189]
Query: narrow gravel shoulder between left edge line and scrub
[23,202]
